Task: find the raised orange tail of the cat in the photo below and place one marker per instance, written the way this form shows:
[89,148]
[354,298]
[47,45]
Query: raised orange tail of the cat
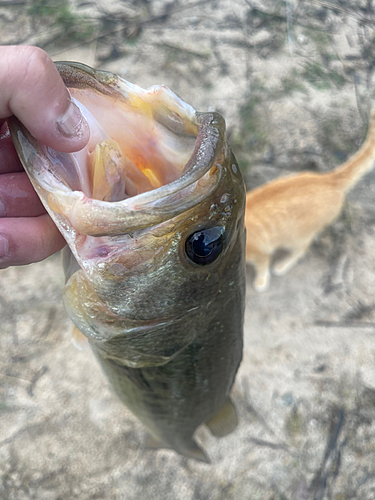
[348,174]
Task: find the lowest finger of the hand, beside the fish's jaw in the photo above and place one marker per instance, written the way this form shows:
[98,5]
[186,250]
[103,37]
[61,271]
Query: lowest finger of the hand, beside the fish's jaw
[27,240]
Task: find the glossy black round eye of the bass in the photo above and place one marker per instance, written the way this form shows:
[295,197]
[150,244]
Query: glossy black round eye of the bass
[205,246]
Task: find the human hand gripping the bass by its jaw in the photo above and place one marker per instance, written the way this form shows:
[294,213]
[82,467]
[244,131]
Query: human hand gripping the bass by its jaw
[32,90]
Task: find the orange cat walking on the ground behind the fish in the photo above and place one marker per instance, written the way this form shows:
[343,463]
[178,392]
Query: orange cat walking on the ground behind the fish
[289,212]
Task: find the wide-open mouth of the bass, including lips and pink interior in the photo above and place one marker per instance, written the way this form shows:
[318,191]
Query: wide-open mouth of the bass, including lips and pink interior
[150,157]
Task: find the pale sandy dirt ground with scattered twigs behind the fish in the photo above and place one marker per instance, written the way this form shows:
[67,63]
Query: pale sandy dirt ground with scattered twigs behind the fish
[295,83]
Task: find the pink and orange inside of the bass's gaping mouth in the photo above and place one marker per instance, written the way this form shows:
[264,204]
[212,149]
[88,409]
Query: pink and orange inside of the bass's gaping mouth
[137,143]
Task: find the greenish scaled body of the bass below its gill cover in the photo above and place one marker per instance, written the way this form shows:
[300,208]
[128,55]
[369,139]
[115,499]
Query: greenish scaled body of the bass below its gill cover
[174,399]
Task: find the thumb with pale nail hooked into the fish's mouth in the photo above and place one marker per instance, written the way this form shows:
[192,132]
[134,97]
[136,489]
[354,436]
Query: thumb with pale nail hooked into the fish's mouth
[32,90]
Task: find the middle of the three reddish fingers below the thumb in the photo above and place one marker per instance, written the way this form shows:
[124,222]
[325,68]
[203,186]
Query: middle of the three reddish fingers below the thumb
[18,197]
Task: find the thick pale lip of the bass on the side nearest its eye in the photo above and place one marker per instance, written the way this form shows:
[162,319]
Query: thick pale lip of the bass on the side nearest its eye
[103,218]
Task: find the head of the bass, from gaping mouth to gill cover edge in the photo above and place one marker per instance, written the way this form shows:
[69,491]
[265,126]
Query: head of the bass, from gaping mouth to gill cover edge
[152,210]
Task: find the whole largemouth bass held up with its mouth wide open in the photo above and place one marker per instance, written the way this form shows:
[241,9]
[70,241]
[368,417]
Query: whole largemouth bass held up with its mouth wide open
[152,210]
